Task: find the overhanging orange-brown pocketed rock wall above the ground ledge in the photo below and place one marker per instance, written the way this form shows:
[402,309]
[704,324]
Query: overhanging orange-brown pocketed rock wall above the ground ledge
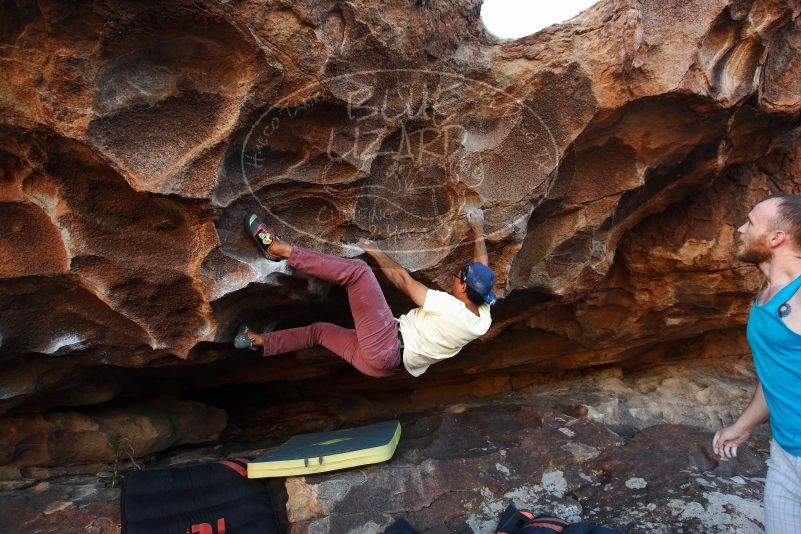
[614,156]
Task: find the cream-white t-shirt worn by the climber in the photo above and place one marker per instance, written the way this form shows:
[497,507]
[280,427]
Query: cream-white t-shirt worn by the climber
[439,329]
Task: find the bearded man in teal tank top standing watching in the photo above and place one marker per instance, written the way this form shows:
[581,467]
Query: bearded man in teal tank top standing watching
[771,239]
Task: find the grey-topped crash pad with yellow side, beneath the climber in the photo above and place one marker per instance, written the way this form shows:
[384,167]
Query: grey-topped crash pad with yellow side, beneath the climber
[328,451]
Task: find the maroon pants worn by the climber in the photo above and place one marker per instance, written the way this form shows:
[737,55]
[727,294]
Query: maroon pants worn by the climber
[373,346]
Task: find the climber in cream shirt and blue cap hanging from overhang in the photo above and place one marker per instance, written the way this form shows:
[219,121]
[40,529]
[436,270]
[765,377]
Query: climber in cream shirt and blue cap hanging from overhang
[380,345]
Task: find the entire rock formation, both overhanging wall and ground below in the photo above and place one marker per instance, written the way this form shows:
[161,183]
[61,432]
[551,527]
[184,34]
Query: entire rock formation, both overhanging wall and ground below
[614,156]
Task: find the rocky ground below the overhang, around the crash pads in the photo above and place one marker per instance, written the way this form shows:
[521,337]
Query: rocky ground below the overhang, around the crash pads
[628,450]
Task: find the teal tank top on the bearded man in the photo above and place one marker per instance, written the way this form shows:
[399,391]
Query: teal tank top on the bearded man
[777,358]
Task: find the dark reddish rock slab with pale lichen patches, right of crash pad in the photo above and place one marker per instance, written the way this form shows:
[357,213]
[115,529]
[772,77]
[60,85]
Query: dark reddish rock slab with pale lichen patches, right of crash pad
[593,475]
